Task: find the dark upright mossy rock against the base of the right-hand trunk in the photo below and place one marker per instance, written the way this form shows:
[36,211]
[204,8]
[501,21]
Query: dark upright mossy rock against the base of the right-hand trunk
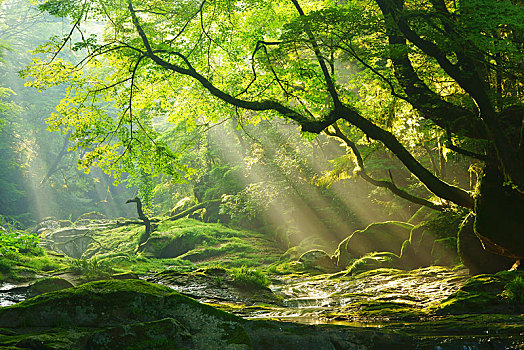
[473,255]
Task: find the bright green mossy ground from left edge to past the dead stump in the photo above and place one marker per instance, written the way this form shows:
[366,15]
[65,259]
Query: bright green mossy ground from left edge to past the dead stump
[114,250]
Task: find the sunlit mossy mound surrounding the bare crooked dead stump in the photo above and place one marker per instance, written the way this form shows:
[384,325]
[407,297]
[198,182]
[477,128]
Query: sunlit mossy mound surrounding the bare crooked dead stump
[209,244]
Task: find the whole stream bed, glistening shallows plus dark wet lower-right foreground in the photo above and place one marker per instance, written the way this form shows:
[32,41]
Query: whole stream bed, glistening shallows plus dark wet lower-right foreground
[386,302]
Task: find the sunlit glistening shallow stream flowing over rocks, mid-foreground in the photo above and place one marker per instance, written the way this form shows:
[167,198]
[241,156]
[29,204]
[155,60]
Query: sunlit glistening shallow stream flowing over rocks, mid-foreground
[321,299]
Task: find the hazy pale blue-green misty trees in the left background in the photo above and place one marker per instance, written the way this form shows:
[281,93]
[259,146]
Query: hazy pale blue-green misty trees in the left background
[39,176]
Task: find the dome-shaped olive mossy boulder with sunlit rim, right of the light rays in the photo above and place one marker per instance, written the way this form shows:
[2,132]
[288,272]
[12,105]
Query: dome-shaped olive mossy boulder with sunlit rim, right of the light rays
[378,237]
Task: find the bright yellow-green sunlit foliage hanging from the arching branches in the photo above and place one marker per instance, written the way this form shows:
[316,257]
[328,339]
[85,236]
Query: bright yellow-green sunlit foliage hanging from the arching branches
[244,54]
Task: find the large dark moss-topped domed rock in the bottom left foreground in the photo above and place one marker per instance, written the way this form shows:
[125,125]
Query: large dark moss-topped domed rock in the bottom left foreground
[128,311]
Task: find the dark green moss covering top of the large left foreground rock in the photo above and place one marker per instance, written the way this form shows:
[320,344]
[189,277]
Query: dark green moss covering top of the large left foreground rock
[103,303]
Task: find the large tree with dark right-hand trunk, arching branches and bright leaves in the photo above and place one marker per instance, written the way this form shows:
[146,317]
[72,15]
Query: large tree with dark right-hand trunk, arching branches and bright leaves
[454,67]
